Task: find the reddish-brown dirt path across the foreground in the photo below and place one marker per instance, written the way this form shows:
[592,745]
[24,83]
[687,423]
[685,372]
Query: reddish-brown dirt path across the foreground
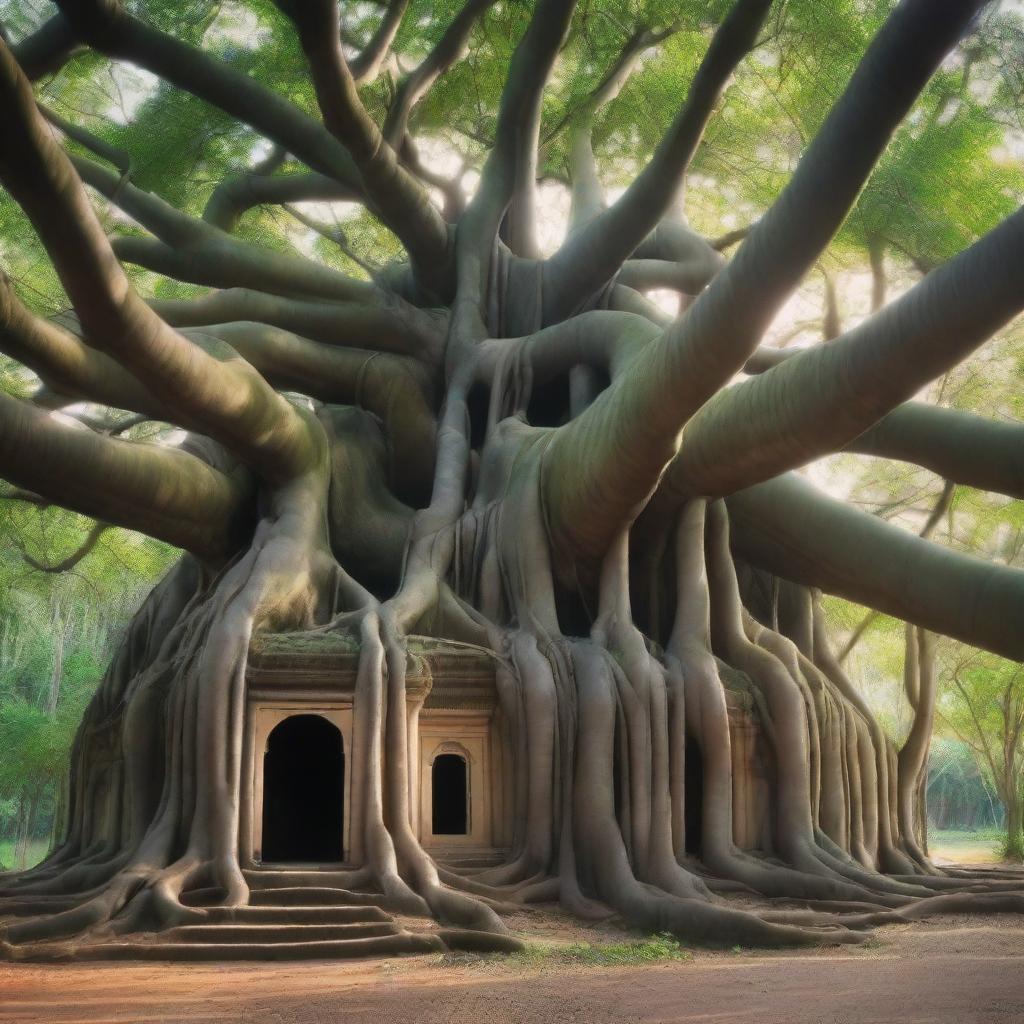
[954,971]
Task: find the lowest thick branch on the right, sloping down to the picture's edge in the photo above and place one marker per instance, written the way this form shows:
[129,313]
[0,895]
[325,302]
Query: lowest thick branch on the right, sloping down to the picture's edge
[790,529]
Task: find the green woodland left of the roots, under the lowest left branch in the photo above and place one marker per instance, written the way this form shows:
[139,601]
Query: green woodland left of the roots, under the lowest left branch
[58,633]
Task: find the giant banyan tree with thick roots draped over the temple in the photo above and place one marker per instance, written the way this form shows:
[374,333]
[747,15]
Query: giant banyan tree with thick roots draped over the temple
[489,446]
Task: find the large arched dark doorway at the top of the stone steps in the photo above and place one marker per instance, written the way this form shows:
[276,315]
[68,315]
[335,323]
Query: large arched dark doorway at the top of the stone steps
[304,792]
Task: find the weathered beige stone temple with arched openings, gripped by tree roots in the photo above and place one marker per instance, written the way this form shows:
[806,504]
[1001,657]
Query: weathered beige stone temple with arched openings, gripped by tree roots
[300,759]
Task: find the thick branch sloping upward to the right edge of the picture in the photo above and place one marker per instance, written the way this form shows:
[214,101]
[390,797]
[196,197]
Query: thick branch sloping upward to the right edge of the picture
[823,399]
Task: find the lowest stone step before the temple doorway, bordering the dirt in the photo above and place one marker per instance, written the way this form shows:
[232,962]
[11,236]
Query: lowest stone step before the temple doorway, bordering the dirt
[403,945]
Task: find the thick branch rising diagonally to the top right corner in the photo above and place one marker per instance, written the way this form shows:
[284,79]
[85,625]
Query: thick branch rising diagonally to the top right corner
[603,467]
